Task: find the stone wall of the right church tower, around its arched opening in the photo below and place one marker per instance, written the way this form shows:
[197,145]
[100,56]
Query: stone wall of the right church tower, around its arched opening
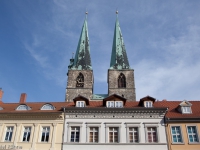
[129,91]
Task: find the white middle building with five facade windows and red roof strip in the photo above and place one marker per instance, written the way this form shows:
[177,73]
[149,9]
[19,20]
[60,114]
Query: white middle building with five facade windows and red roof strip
[98,127]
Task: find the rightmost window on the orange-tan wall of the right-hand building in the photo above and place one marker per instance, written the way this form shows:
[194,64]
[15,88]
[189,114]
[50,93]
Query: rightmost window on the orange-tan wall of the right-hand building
[192,134]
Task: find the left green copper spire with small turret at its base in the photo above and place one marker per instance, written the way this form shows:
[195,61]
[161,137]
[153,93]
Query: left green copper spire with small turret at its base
[82,59]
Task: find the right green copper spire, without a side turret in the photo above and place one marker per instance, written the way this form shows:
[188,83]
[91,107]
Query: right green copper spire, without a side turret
[119,58]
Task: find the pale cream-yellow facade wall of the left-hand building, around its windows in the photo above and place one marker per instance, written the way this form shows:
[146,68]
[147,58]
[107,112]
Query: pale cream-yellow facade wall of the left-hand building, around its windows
[55,138]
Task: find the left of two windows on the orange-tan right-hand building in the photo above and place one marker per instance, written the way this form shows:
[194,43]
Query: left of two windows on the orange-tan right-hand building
[176,134]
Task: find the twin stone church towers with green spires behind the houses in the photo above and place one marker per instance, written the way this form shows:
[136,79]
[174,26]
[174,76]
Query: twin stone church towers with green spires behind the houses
[80,74]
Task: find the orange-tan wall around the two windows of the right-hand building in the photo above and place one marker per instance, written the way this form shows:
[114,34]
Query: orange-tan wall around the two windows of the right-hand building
[185,145]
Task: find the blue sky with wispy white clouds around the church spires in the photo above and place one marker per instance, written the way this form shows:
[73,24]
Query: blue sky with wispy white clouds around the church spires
[38,37]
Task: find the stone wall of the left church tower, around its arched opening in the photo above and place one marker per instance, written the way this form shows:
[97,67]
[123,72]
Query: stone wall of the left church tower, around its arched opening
[72,91]
